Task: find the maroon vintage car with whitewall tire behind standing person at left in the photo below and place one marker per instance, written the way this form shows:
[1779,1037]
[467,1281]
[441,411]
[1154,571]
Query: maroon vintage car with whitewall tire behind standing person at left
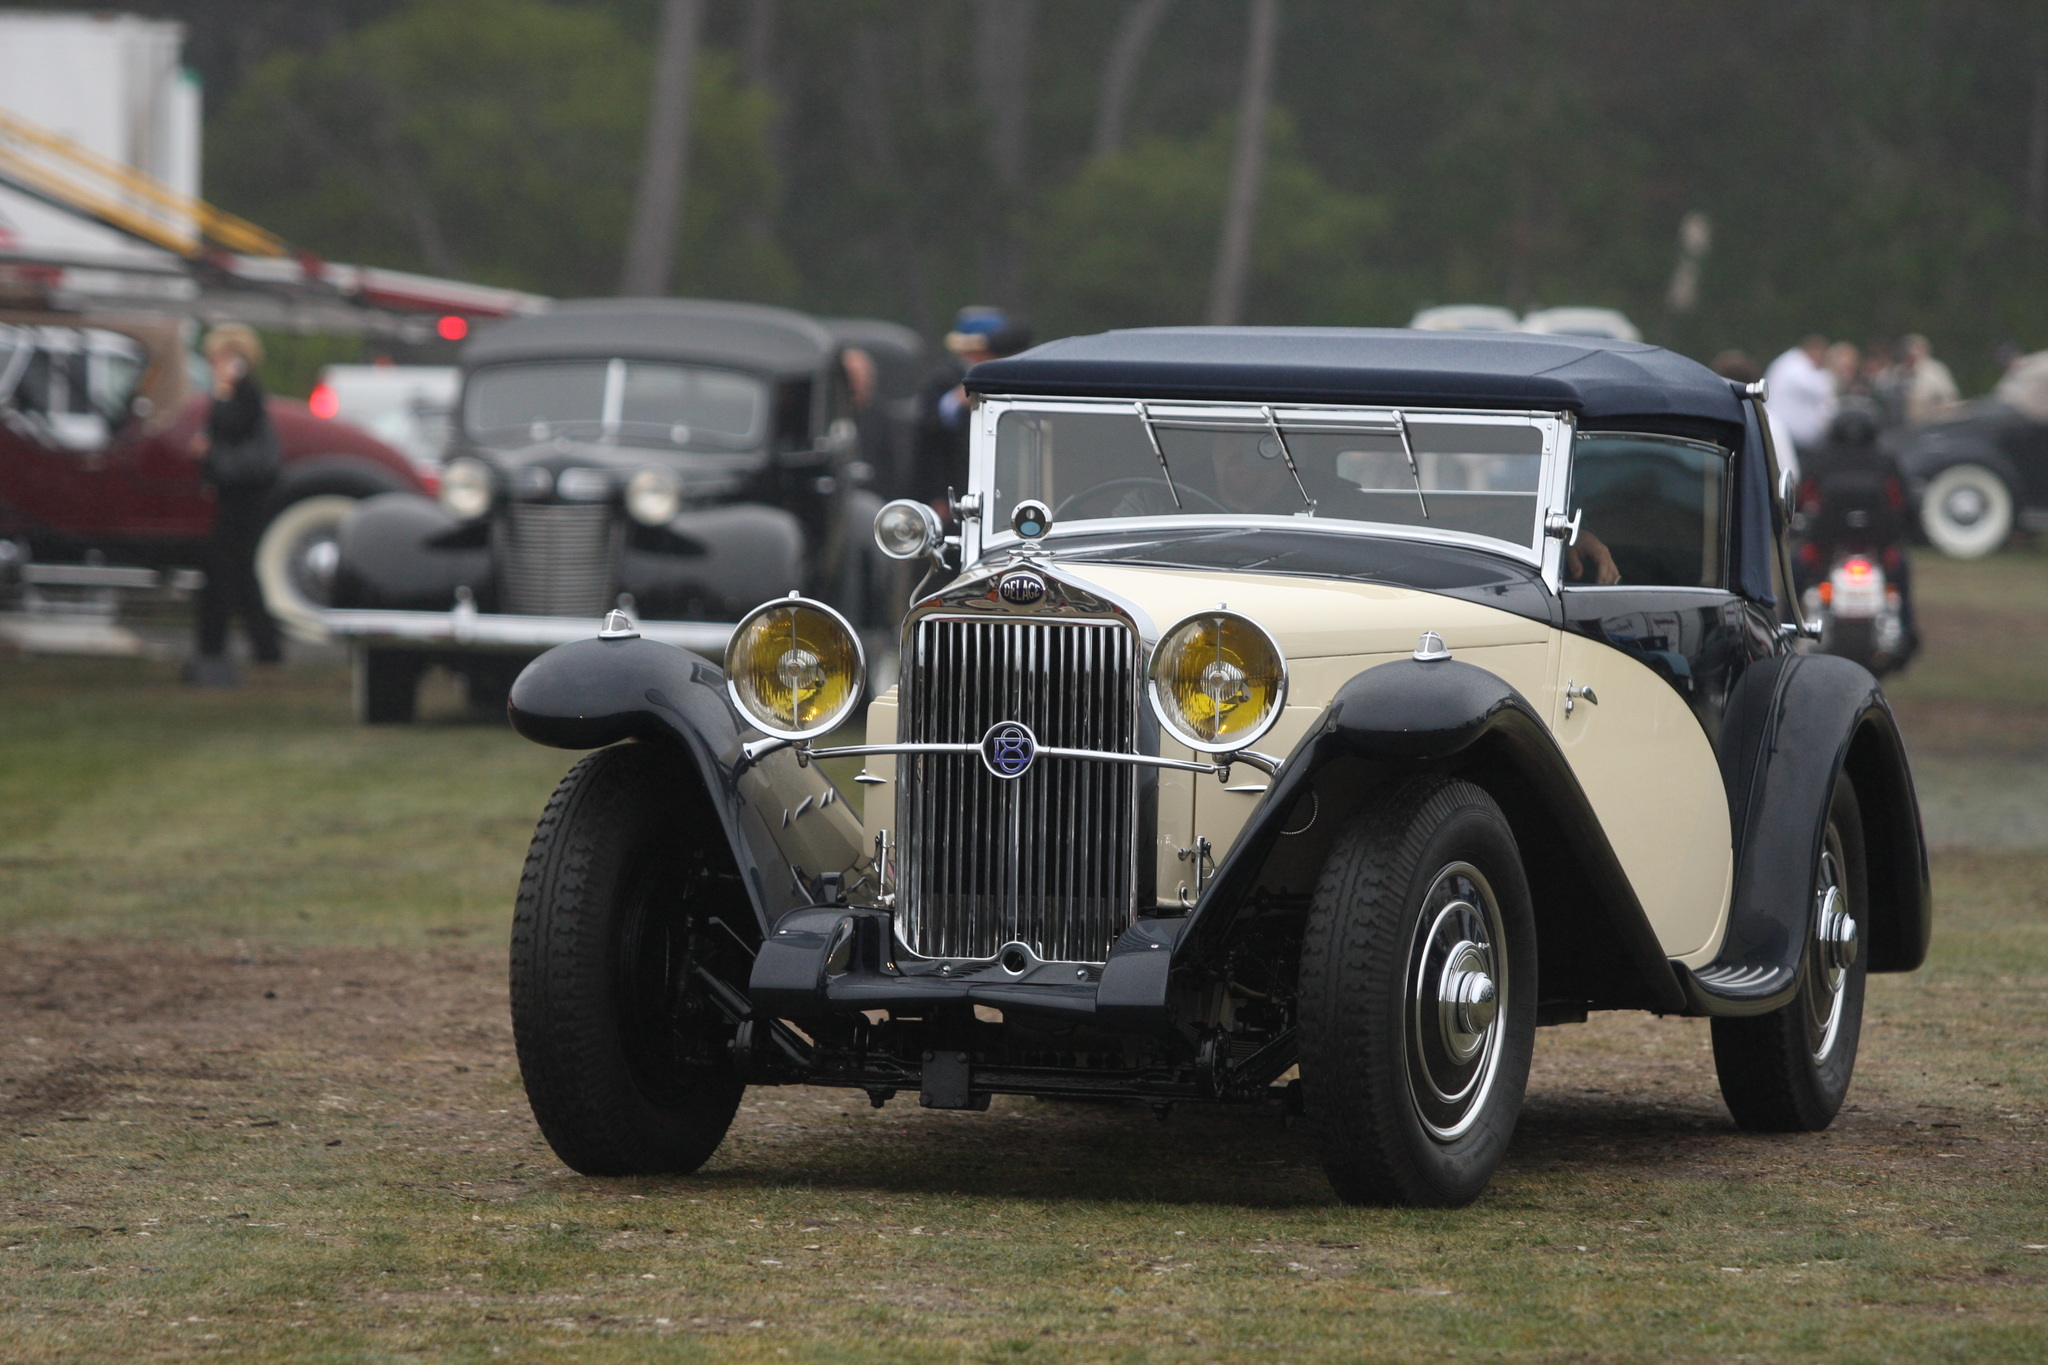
[97,416]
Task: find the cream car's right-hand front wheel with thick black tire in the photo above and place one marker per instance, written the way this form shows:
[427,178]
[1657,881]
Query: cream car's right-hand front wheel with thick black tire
[1431,867]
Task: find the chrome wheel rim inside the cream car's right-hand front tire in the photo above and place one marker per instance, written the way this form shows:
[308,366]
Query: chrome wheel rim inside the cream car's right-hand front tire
[1457,994]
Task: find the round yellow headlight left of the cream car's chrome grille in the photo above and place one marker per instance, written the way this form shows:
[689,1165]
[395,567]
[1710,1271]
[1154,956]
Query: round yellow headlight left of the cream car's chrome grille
[796,668]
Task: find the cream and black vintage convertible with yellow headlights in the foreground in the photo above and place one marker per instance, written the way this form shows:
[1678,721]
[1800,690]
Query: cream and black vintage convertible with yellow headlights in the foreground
[1308,719]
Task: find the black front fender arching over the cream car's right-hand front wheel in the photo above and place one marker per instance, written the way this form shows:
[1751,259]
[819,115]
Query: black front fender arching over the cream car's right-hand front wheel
[1412,715]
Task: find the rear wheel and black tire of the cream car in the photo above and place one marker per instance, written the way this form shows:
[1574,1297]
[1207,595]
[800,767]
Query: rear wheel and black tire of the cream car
[1789,1071]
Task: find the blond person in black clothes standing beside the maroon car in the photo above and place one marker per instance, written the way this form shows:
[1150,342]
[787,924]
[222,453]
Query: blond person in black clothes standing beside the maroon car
[239,461]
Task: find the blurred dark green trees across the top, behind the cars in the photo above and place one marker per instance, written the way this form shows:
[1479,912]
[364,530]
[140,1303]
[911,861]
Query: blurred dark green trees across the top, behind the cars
[1867,167]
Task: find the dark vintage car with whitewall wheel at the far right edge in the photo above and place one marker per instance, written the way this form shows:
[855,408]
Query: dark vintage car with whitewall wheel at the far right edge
[1981,470]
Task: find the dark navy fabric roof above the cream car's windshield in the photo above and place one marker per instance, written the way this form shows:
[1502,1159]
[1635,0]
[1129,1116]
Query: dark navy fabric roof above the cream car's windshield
[1601,380]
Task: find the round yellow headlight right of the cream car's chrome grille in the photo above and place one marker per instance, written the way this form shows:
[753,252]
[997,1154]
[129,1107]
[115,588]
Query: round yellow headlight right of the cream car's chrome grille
[1218,682]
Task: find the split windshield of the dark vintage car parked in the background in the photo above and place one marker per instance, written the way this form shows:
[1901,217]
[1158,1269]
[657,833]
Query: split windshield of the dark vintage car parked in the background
[611,400]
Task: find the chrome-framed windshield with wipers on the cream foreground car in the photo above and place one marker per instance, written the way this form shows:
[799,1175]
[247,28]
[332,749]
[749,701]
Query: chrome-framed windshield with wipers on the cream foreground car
[1476,476]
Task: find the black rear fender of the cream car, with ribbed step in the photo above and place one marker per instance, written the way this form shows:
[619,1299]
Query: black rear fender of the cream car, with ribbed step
[1793,725]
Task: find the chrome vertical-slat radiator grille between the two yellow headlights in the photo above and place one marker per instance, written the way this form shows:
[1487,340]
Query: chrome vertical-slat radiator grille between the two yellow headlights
[1048,858]
